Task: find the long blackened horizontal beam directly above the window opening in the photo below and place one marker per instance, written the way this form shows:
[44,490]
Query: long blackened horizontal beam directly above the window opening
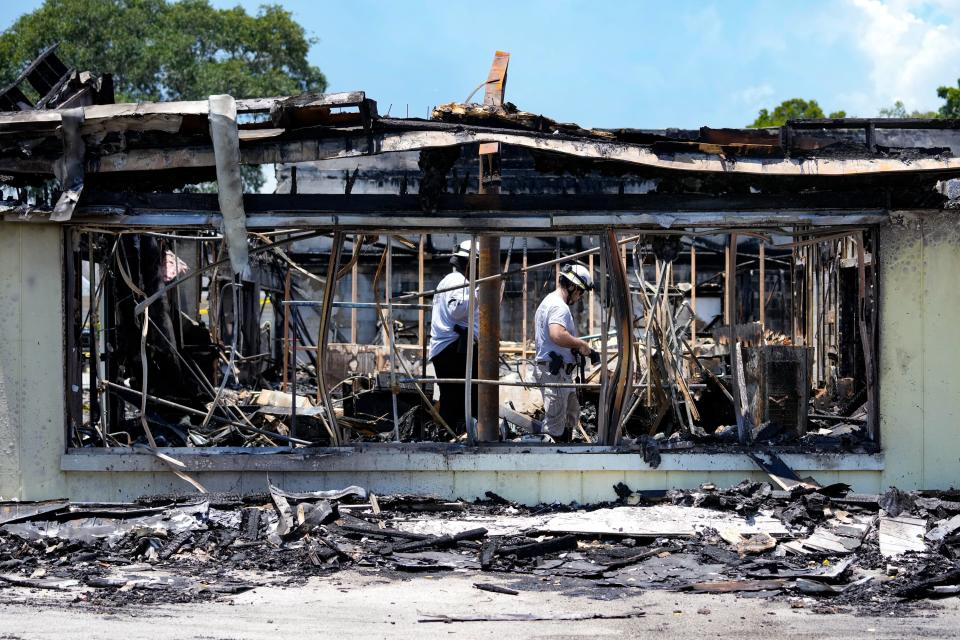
[465,213]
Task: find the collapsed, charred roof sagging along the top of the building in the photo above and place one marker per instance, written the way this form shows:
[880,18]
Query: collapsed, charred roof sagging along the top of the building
[160,145]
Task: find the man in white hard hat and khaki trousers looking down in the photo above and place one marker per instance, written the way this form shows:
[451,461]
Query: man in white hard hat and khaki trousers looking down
[557,342]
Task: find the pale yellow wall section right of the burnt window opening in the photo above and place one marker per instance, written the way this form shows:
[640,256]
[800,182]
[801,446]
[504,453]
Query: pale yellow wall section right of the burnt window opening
[920,350]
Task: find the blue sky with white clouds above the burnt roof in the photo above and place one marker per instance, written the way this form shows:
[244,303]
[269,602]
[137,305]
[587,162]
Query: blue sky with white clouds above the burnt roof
[634,64]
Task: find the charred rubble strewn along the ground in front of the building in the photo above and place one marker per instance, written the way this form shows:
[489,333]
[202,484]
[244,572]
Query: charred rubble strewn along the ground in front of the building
[821,546]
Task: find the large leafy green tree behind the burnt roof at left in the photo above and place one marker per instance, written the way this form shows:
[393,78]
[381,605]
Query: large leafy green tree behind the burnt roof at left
[161,50]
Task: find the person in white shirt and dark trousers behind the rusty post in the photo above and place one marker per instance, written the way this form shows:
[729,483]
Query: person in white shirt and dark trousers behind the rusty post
[448,339]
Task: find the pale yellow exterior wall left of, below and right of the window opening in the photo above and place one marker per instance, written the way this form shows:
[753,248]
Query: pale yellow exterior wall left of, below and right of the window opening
[919,274]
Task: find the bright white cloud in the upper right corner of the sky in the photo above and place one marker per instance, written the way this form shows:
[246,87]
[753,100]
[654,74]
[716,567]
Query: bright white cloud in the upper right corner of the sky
[912,47]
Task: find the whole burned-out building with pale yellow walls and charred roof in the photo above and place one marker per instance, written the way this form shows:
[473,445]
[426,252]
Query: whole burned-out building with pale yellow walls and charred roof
[784,290]
